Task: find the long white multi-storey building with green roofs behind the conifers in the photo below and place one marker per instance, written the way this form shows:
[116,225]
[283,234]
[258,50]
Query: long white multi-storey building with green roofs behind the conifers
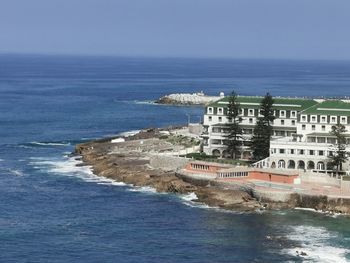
[300,140]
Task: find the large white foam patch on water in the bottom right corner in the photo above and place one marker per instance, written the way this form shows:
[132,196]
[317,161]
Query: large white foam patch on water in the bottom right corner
[316,243]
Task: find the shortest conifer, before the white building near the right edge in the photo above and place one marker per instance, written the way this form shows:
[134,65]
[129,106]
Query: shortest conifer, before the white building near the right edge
[339,154]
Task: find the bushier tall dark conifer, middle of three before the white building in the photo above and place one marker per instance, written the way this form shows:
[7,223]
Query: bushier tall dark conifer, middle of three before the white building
[263,129]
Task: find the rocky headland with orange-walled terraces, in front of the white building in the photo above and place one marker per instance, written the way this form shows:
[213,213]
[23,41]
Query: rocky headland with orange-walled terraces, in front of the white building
[157,158]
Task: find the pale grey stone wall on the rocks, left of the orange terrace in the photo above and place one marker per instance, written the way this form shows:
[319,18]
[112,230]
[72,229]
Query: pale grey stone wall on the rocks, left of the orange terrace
[168,163]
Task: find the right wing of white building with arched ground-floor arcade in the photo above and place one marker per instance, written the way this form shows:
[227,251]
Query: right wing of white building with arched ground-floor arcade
[312,145]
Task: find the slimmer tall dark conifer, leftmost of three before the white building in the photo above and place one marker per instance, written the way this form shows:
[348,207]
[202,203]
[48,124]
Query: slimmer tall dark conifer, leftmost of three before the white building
[234,137]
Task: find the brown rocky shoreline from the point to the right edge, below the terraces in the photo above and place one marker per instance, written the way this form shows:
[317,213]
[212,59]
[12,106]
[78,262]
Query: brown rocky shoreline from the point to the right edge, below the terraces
[131,160]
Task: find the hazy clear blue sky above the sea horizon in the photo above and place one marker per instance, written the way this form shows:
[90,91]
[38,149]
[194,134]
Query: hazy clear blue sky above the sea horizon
[298,29]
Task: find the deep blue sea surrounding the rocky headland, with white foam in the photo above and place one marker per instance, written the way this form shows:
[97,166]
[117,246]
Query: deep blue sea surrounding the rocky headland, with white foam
[54,211]
